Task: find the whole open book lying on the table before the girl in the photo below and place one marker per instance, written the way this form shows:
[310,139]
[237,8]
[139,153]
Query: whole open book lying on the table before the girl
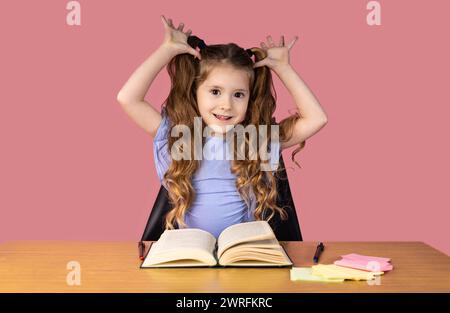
[245,244]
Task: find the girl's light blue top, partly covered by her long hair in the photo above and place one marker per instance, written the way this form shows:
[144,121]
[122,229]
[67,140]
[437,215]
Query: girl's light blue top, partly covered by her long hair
[217,203]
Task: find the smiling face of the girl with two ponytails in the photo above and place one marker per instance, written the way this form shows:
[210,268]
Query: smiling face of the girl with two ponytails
[223,98]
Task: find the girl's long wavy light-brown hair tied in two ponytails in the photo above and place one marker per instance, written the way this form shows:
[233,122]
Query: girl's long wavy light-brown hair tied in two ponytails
[186,74]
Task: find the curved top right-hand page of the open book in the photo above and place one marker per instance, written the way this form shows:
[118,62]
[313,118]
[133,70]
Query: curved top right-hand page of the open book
[243,232]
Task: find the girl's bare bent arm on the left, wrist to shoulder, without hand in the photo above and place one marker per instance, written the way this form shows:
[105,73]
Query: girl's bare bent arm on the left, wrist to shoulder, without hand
[131,96]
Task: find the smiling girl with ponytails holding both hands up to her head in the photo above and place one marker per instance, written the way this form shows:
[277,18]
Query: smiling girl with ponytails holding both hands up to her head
[225,87]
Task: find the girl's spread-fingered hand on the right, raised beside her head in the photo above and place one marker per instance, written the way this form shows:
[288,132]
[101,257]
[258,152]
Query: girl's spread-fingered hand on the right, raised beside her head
[277,56]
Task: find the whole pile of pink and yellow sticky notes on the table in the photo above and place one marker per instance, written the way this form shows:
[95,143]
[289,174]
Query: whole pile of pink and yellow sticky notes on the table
[350,267]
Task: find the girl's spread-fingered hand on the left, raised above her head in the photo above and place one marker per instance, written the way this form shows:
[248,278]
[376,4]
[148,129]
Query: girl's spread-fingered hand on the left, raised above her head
[176,39]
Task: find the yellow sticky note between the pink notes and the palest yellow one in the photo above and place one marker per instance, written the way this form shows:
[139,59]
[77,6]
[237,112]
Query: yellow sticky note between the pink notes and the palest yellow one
[332,271]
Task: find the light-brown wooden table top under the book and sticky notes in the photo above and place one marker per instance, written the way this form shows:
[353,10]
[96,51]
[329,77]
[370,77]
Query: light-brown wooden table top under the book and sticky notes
[41,266]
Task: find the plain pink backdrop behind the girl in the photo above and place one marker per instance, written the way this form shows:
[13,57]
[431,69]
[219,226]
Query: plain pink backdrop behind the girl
[74,166]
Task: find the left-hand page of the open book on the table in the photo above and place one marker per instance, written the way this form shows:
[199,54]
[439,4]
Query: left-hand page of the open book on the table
[182,244]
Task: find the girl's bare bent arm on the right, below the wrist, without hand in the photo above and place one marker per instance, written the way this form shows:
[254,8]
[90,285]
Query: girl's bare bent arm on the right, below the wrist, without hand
[313,117]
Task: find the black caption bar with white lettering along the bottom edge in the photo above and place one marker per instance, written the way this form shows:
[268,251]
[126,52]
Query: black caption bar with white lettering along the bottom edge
[223,302]
